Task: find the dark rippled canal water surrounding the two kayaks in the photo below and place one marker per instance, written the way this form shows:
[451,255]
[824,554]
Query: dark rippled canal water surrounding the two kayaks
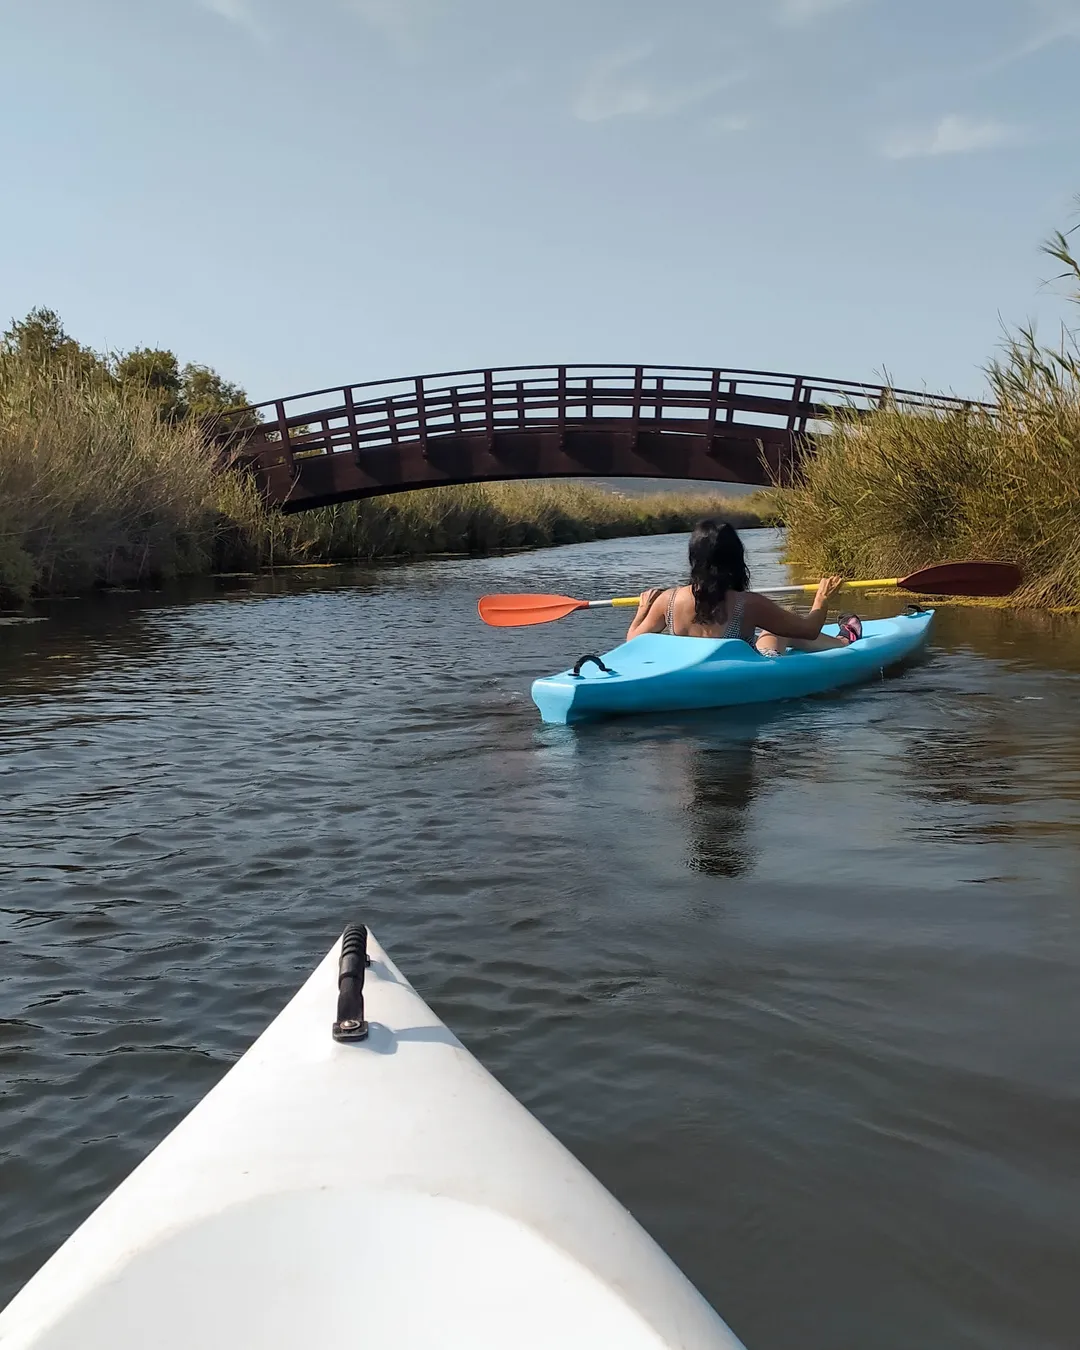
[800,985]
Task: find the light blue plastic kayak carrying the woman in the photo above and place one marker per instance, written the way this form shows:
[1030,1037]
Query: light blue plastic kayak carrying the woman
[657,673]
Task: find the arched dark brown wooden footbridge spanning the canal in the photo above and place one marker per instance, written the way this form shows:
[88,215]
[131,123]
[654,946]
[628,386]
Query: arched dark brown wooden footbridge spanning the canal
[545,422]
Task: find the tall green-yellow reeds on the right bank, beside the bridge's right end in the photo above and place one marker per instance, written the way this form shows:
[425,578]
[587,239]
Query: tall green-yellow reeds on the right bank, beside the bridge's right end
[894,491]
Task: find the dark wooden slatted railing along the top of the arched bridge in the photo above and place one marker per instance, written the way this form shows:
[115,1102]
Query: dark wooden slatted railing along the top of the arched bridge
[388,414]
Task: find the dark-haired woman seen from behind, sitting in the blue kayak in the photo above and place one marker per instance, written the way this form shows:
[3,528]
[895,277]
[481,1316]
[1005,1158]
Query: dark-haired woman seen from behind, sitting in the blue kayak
[718,603]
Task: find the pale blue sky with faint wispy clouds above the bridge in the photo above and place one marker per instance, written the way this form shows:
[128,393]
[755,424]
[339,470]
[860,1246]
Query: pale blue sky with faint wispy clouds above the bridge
[311,192]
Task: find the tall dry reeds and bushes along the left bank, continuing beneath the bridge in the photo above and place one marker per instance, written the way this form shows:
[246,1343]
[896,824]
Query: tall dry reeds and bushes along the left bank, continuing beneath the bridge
[110,479]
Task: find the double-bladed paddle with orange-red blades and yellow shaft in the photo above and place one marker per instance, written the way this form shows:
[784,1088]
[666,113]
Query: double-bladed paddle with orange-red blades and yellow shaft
[973,578]
